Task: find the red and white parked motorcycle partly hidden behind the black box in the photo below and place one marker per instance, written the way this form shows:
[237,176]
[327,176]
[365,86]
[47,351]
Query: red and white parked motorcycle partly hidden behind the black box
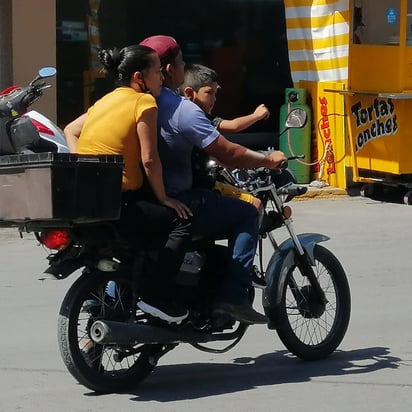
[23,131]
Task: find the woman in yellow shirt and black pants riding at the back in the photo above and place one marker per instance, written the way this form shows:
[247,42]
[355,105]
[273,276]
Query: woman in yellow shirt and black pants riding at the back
[124,122]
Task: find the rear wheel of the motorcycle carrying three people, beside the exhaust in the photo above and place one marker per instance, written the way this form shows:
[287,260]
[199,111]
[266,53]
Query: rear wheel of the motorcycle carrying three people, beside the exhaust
[101,368]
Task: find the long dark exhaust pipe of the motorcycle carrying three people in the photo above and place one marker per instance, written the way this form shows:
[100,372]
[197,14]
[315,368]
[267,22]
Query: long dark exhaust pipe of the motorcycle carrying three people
[123,333]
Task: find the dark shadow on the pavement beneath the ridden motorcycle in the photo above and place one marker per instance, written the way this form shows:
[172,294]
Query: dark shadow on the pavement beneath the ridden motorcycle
[199,380]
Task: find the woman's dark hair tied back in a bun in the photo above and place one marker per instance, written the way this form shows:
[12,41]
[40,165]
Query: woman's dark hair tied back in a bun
[121,64]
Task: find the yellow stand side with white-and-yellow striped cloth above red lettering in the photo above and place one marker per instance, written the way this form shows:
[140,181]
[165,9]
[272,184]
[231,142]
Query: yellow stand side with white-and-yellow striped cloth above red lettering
[318,43]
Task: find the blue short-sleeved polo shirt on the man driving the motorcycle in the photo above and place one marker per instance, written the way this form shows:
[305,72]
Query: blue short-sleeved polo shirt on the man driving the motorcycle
[181,126]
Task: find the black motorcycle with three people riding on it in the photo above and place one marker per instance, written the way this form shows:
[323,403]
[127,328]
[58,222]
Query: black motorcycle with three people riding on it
[109,345]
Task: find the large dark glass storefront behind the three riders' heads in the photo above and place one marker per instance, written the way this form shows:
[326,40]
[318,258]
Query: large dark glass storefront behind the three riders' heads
[243,40]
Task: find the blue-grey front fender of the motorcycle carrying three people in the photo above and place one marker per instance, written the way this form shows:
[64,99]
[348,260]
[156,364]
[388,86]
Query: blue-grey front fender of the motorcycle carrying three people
[277,270]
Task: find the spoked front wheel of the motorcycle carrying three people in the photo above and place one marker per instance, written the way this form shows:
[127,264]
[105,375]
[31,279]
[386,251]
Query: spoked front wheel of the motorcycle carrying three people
[308,328]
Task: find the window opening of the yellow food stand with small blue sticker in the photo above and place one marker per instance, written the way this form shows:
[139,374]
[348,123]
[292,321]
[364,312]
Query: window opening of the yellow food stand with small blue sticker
[376,22]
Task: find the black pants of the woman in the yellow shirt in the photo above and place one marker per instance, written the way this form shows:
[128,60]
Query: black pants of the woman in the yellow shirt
[162,238]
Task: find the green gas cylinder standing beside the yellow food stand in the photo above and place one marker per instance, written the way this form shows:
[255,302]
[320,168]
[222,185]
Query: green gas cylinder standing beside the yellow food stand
[296,141]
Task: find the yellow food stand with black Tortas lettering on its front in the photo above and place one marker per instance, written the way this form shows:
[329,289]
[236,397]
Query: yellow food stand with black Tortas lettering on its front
[380,106]
